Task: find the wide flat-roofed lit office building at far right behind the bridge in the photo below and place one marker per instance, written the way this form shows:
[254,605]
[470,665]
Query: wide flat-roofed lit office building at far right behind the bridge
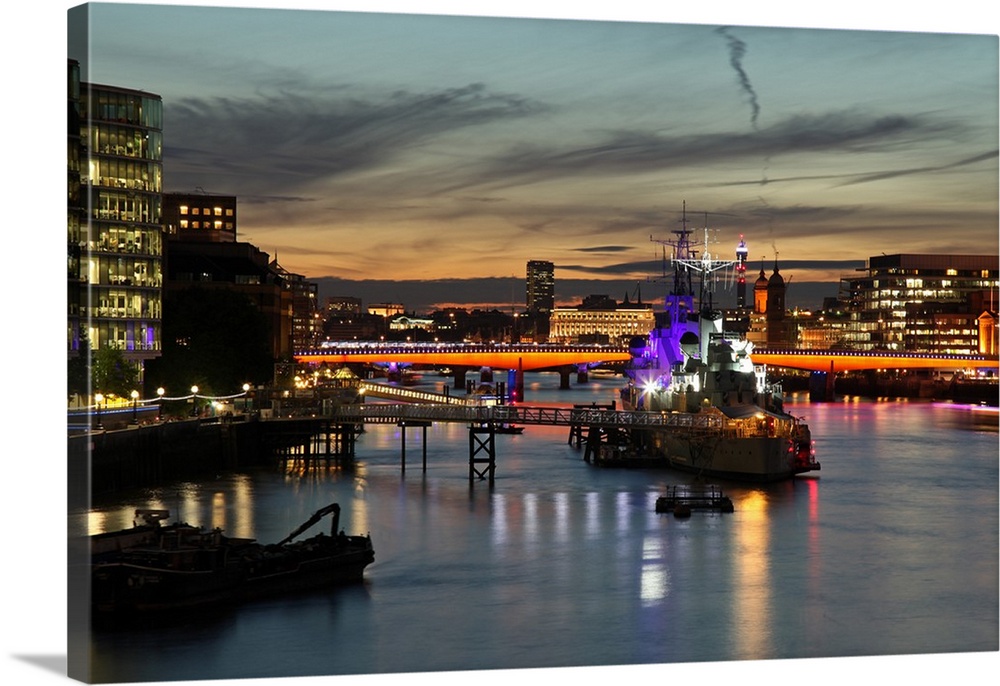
[921,303]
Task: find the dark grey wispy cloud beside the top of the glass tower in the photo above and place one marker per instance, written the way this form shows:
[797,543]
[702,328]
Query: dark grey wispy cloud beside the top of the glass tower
[286,138]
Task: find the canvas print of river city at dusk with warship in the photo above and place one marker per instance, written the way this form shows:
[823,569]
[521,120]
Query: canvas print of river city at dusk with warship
[410,344]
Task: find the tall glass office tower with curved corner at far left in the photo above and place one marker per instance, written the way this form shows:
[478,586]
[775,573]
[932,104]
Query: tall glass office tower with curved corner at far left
[115,235]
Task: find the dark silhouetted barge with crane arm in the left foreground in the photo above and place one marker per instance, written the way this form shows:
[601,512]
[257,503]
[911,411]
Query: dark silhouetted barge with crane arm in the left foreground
[155,567]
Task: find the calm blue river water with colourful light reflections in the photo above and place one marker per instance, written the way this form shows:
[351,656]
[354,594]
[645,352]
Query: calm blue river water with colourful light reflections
[891,549]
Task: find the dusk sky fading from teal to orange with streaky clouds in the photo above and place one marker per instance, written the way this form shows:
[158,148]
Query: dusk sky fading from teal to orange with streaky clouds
[413,147]
